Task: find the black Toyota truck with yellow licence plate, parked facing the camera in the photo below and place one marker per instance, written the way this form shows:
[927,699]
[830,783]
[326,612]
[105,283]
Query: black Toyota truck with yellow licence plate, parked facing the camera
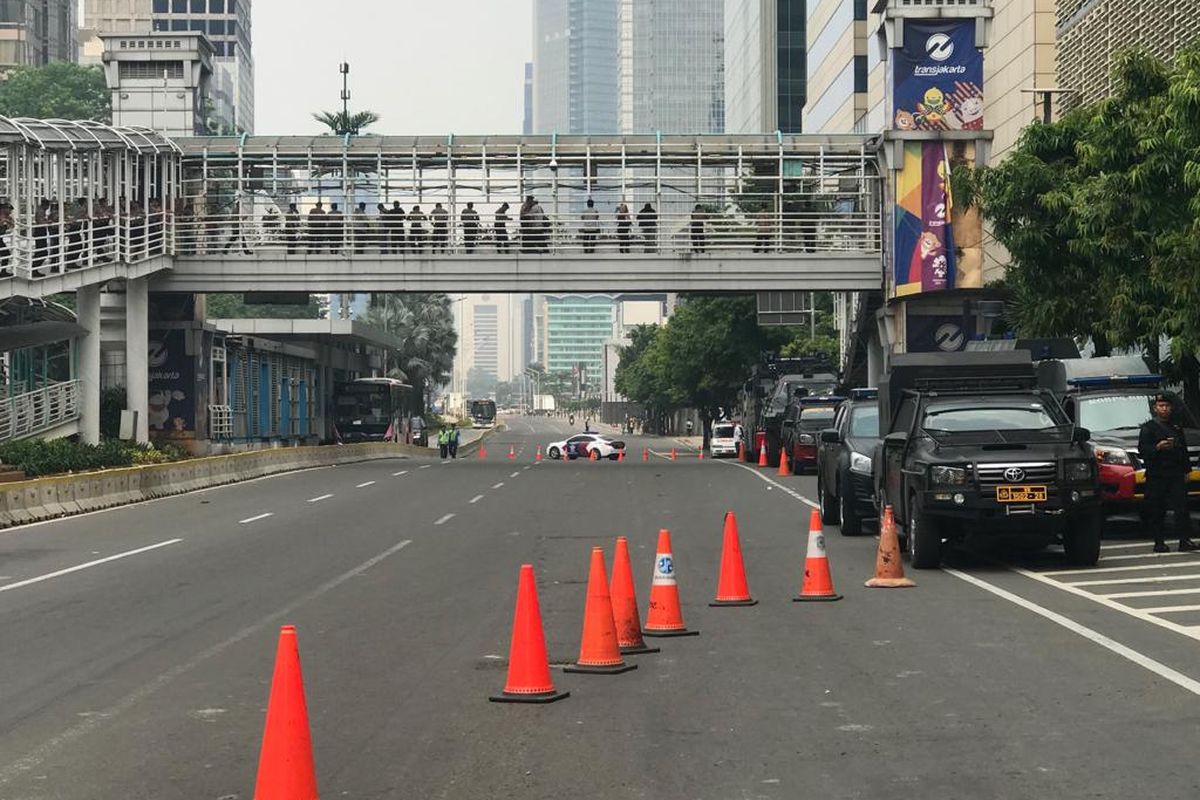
[974,447]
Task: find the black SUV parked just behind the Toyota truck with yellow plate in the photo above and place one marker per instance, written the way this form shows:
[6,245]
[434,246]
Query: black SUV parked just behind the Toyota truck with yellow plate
[845,486]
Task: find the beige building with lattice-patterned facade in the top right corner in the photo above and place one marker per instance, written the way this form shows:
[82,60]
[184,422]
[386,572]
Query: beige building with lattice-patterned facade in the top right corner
[1093,32]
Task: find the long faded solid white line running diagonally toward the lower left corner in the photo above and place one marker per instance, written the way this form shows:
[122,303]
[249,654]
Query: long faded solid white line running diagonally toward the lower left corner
[45,751]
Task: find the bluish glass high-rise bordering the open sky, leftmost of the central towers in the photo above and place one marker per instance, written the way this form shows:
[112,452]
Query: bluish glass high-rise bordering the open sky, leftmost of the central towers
[575,67]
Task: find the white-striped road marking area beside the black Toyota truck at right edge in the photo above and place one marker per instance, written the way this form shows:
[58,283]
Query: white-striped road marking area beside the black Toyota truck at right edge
[1160,588]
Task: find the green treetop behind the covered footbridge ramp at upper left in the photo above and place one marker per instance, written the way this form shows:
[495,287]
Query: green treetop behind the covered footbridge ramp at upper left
[58,91]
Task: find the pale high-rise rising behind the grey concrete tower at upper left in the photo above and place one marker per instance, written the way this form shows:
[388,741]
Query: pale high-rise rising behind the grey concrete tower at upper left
[227,23]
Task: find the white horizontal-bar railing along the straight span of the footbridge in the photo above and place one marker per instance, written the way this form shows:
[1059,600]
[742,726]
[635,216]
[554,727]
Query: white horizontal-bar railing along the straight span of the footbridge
[411,236]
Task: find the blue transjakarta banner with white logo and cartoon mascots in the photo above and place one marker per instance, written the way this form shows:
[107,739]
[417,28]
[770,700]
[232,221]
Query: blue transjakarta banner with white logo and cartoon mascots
[938,81]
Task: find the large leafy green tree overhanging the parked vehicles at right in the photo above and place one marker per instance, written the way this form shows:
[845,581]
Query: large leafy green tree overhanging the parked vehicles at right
[1101,213]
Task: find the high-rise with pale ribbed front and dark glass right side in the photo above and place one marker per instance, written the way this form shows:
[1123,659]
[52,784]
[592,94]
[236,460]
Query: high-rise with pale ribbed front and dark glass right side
[766,68]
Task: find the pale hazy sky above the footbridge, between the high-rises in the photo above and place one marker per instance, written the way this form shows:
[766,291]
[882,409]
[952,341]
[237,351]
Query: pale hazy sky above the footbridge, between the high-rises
[428,67]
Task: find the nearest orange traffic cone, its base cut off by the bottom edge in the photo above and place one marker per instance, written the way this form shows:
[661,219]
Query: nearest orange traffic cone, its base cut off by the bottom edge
[285,765]
